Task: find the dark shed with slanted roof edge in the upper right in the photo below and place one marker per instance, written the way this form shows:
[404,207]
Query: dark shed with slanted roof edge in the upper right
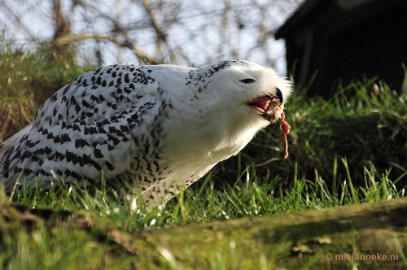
[344,40]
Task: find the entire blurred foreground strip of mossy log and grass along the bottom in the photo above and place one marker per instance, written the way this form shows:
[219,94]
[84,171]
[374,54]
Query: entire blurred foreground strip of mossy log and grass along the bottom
[49,239]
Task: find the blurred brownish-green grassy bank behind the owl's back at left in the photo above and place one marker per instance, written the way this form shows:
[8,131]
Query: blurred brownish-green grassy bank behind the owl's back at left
[27,79]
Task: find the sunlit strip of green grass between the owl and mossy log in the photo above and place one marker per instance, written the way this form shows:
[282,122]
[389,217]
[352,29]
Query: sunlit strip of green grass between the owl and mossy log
[247,197]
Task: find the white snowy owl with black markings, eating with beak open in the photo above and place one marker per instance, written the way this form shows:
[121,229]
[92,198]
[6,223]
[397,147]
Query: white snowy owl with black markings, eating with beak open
[157,127]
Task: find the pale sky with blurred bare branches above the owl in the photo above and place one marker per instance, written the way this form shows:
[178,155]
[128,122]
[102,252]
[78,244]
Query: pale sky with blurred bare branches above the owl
[151,31]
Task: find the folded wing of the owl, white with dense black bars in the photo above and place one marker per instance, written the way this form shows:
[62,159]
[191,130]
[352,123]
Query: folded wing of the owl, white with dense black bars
[98,123]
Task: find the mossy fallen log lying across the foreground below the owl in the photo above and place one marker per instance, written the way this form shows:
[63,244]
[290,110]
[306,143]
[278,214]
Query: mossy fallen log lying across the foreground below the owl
[364,236]
